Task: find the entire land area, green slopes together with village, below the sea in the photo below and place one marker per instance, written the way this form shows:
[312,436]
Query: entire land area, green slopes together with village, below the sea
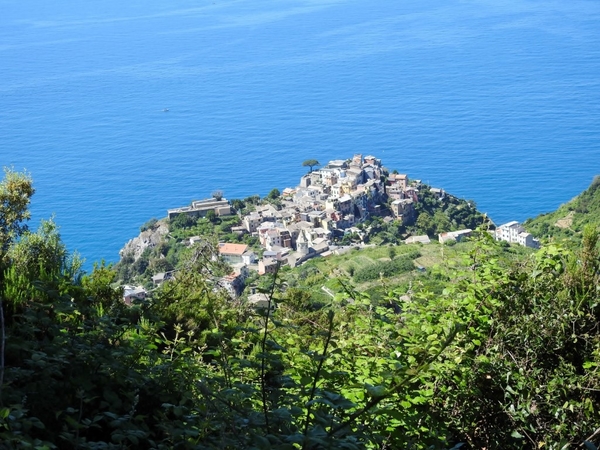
[359,310]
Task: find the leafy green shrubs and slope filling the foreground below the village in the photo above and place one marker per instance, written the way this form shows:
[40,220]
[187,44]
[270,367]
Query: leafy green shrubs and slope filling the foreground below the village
[489,348]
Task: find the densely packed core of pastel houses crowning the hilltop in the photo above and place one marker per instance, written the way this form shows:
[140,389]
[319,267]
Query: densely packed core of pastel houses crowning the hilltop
[328,203]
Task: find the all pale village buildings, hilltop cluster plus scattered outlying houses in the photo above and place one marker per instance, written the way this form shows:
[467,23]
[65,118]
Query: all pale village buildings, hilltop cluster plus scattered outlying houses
[311,219]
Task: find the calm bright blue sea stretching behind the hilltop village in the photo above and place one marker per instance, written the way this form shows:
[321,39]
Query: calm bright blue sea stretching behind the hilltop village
[495,101]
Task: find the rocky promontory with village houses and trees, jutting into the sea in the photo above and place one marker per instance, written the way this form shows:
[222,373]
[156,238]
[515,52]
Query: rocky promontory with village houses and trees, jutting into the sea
[347,204]
